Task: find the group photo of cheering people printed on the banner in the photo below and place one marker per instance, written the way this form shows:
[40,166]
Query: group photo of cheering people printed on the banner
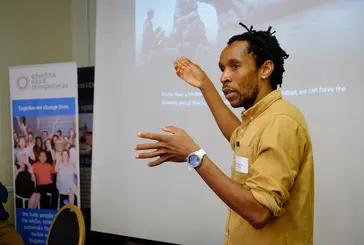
[46,161]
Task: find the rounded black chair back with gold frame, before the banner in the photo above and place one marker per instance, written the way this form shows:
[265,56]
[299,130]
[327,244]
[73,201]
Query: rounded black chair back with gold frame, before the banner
[68,227]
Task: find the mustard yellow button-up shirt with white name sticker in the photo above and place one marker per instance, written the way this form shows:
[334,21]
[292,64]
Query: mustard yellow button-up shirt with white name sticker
[273,158]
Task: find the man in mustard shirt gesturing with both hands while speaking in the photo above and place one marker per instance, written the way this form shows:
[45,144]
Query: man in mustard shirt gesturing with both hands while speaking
[270,193]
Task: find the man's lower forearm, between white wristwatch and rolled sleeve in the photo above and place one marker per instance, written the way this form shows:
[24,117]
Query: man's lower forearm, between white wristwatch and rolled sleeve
[237,197]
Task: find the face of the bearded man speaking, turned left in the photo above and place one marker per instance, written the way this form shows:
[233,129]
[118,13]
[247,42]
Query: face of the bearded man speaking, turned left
[240,76]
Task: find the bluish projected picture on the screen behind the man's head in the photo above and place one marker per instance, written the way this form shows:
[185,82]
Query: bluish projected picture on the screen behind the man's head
[199,30]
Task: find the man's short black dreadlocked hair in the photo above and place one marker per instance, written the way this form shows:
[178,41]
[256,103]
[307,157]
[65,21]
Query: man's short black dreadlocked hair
[265,47]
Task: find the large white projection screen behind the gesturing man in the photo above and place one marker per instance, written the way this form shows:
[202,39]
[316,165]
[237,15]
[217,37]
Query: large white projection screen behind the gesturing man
[136,89]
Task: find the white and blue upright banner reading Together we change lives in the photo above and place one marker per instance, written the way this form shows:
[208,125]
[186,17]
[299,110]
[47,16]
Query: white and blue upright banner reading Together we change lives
[45,145]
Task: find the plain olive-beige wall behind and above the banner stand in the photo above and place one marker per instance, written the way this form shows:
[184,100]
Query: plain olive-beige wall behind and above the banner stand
[32,32]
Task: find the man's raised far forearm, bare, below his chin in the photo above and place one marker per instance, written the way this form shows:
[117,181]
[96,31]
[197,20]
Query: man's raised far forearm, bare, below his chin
[225,118]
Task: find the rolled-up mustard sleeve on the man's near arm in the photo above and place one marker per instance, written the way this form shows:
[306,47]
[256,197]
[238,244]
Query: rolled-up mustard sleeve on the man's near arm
[279,154]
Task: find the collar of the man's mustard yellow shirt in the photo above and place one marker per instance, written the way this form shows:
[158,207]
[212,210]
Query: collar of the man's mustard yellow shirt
[260,107]
